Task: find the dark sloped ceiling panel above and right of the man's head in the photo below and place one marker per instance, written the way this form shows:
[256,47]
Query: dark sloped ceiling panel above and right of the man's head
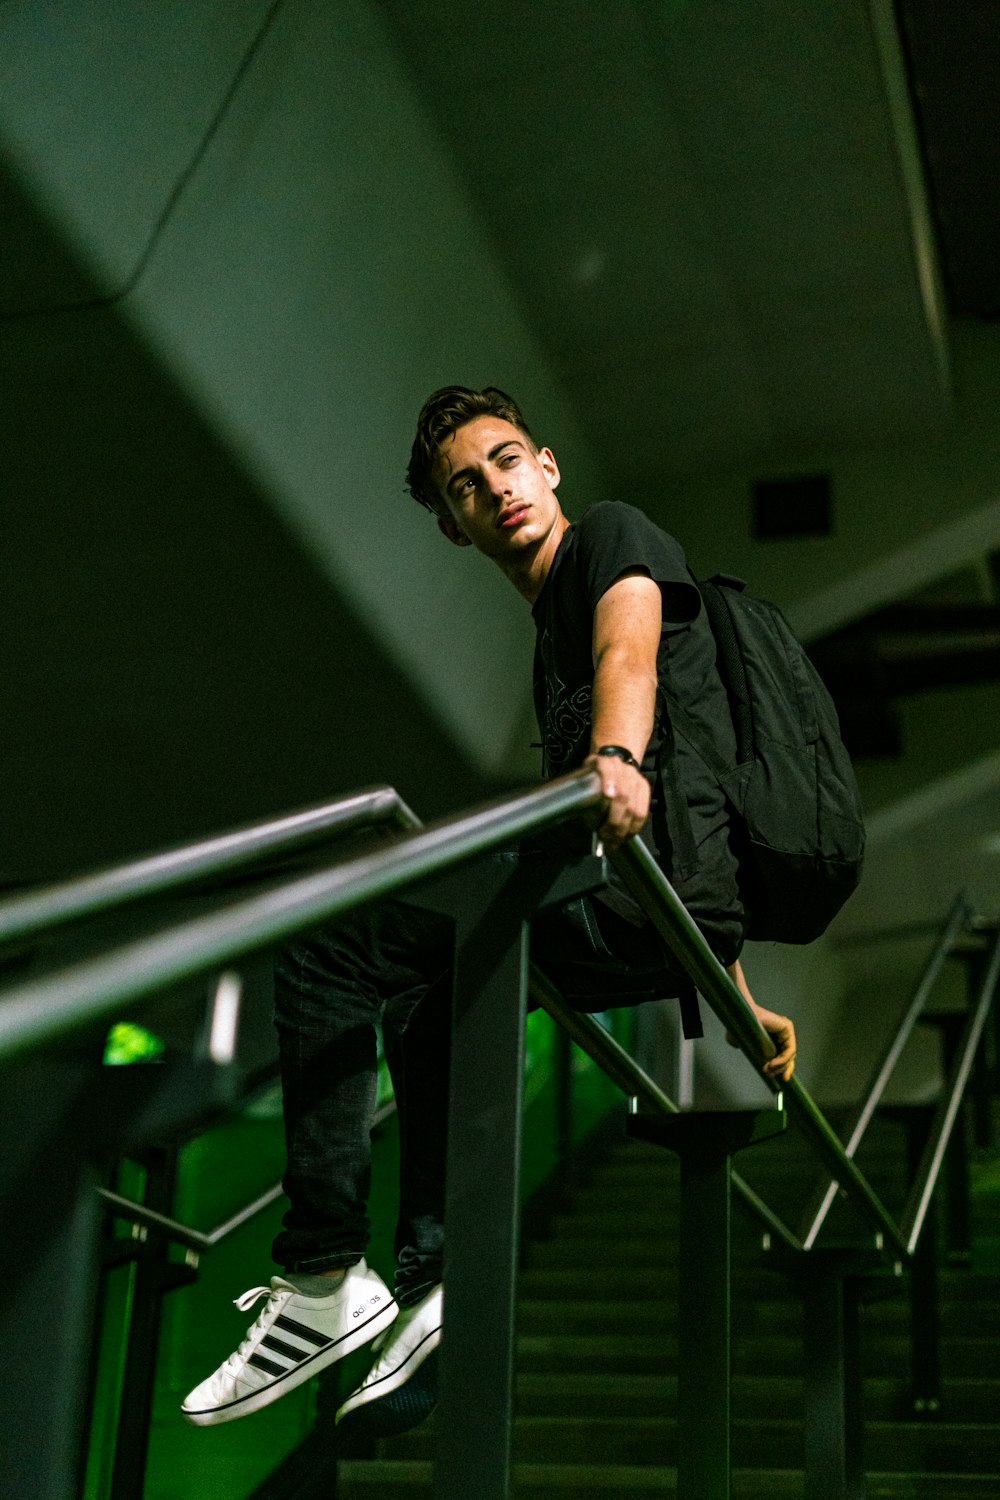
[714,215]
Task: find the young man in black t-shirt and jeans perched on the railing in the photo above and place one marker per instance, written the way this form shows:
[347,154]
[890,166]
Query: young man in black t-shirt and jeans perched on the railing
[618,620]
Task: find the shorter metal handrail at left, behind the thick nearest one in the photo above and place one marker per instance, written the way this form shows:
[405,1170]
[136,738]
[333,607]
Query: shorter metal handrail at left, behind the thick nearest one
[86,896]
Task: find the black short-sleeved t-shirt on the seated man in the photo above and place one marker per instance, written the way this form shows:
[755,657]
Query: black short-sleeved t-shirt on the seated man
[614,539]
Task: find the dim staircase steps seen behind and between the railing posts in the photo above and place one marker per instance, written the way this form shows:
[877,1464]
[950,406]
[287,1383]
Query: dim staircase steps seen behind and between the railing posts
[597,1355]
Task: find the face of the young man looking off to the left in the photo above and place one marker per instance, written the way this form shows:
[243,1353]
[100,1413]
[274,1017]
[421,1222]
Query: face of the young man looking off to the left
[500,494]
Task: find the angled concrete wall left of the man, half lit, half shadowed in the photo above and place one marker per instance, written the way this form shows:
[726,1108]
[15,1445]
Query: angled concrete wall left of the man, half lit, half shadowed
[238,263]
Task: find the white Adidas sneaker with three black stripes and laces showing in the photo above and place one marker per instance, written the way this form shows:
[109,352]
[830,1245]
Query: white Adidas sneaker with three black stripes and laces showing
[293,1340]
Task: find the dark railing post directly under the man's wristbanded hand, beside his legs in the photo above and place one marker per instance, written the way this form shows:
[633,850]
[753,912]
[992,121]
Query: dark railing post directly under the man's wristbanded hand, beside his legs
[493,902]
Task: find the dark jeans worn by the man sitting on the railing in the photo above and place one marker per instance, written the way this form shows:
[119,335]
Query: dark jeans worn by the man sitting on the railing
[391,965]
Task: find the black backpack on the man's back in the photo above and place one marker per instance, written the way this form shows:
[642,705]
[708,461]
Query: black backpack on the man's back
[798,826]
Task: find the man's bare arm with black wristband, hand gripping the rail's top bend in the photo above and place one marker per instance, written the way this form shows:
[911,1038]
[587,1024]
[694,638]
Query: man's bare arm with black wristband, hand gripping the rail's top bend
[627,626]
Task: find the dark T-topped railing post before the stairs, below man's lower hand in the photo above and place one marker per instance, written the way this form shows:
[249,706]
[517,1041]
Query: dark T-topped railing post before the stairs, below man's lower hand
[705,1144]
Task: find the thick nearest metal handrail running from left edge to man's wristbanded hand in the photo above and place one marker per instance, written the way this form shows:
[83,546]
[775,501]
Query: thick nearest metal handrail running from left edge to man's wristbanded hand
[52,1007]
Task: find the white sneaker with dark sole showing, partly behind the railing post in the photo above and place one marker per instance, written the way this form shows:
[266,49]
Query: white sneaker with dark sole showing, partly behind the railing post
[401,1388]
